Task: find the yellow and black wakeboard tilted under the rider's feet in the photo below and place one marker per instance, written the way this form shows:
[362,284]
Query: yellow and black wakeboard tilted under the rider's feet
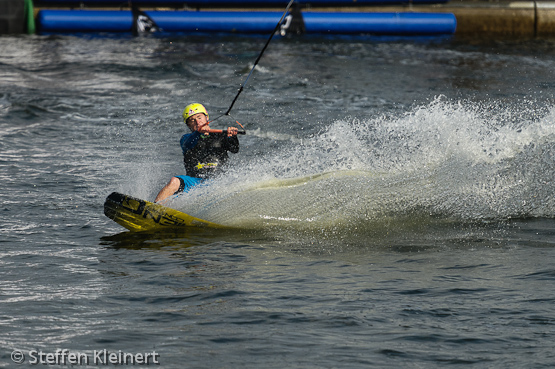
[140,215]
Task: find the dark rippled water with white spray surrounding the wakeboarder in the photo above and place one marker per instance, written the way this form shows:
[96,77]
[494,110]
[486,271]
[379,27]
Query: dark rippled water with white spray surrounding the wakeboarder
[393,199]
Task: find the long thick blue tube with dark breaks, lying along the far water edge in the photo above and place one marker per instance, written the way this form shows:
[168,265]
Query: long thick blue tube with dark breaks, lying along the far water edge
[52,21]
